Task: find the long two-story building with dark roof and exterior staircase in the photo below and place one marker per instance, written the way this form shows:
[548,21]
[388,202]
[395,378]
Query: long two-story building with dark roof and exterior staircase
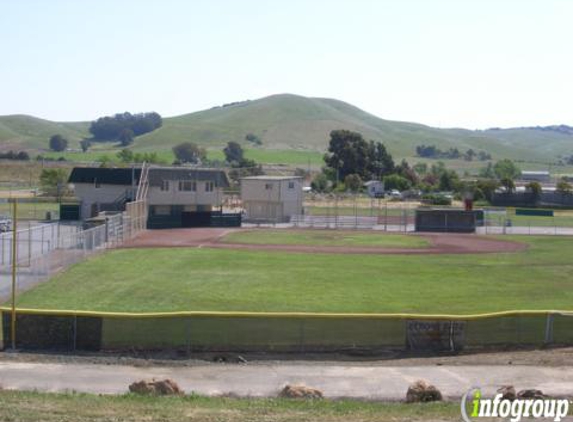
[176,196]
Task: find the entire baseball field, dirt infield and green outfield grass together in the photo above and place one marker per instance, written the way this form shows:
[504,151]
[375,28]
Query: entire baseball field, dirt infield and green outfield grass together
[316,271]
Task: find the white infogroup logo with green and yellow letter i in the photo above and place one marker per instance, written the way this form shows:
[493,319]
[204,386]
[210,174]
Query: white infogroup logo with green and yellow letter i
[475,406]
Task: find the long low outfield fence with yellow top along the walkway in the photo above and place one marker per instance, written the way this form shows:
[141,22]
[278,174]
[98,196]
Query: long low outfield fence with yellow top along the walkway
[188,332]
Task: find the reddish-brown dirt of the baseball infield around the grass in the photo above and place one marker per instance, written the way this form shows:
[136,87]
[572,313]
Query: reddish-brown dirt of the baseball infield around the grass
[440,243]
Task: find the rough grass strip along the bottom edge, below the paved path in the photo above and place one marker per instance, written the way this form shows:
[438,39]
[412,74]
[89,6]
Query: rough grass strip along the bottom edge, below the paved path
[49,407]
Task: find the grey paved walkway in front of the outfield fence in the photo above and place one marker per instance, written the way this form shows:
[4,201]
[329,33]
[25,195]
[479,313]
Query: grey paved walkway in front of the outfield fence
[265,379]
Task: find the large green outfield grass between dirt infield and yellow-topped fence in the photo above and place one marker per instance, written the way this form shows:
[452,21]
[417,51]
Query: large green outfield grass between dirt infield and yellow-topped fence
[229,280]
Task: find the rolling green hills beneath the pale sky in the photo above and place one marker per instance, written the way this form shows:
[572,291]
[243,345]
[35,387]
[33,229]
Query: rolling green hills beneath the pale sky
[290,122]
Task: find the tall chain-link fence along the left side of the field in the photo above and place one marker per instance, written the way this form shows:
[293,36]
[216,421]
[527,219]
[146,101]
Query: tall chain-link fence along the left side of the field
[46,248]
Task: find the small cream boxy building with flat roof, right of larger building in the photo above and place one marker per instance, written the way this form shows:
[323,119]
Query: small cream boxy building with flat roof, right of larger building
[271,199]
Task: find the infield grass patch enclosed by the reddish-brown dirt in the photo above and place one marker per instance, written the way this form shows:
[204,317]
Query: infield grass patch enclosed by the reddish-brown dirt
[325,238]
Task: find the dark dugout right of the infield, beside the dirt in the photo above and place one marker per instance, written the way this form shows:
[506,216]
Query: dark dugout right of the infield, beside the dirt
[448,220]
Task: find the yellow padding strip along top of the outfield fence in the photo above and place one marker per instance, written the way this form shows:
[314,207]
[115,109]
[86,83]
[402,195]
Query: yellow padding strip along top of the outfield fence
[285,314]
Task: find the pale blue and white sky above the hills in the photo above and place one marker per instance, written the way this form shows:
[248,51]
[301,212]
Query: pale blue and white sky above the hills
[462,63]
